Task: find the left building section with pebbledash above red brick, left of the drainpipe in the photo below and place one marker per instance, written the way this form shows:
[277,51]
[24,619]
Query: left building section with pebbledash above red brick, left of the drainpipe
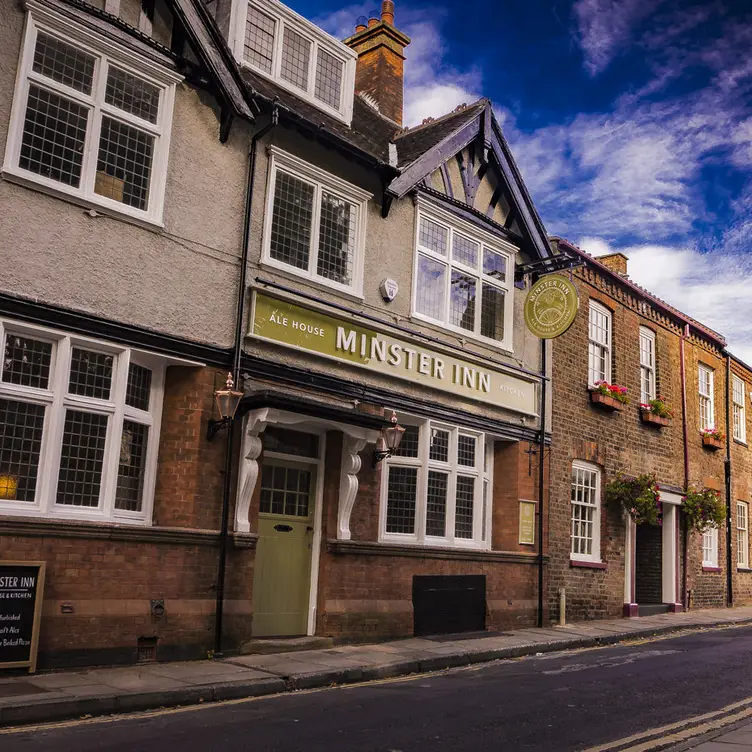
[121,230]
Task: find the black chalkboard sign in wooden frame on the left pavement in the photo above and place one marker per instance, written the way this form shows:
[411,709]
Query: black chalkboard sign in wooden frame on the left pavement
[21,591]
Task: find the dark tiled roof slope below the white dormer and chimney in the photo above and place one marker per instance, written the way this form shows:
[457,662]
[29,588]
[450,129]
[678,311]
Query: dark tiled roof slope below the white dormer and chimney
[370,132]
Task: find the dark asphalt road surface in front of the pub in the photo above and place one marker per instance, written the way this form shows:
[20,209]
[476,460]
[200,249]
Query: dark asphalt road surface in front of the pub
[555,703]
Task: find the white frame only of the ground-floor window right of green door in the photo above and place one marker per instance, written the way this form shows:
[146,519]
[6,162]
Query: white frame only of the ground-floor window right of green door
[482,472]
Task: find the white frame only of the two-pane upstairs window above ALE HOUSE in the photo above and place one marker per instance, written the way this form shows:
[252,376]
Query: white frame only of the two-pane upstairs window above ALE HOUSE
[320,180]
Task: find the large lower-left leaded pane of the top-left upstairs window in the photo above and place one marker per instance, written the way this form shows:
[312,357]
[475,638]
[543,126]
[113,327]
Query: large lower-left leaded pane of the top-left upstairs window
[54,137]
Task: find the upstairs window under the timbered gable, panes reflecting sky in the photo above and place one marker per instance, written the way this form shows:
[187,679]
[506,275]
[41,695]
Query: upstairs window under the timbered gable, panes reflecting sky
[463,280]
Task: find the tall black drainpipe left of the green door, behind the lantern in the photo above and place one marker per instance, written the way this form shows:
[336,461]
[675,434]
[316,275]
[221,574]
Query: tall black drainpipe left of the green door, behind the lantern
[237,352]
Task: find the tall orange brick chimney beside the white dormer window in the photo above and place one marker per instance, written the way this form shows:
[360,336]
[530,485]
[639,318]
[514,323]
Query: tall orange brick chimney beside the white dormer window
[379,73]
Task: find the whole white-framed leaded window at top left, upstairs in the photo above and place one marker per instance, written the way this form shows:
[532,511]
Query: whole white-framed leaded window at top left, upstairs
[89,122]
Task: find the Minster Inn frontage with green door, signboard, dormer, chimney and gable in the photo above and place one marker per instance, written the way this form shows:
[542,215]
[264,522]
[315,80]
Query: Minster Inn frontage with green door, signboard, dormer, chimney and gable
[382,272]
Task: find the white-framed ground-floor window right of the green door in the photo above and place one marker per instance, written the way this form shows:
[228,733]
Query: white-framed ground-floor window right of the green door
[435,488]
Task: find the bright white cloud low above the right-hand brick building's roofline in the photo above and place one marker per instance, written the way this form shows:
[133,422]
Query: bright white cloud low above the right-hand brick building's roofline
[713,288]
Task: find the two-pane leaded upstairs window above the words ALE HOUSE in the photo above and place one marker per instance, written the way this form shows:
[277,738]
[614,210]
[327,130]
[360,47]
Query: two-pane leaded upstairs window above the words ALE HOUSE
[315,224]
